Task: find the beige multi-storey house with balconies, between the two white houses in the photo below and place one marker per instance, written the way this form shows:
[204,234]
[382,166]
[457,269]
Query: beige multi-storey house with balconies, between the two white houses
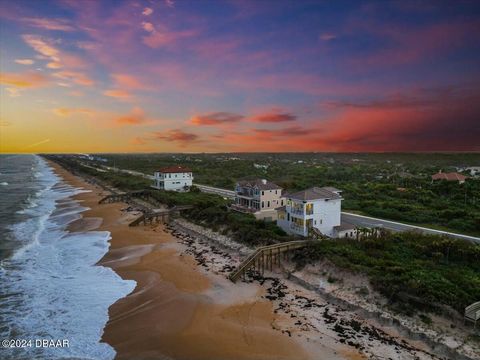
[259,197]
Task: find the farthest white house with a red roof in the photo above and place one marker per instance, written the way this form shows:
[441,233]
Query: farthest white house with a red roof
[173,178]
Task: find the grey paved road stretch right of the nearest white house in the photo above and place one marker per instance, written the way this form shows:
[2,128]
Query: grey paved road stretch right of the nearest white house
[368,221]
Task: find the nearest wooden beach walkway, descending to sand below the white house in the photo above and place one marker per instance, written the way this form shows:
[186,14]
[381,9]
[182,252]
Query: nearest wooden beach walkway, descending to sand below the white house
[266,256]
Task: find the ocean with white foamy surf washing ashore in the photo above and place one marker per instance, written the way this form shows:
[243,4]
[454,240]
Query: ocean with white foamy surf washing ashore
[50,287]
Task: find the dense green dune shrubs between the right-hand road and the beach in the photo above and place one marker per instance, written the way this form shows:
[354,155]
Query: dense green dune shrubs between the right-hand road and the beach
[424,270]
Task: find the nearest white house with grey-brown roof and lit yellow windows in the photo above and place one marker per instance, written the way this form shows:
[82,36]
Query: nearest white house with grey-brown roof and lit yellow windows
[314,208]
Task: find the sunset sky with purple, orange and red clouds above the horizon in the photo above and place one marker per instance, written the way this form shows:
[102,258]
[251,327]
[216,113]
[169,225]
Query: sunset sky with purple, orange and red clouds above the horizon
[215,76]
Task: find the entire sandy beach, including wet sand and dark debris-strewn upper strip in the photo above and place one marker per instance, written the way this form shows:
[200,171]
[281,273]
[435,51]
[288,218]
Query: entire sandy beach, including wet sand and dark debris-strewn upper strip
[184,307]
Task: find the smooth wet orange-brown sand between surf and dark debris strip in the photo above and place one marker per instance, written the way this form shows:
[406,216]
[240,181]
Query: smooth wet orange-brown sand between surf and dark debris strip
[178,311]
